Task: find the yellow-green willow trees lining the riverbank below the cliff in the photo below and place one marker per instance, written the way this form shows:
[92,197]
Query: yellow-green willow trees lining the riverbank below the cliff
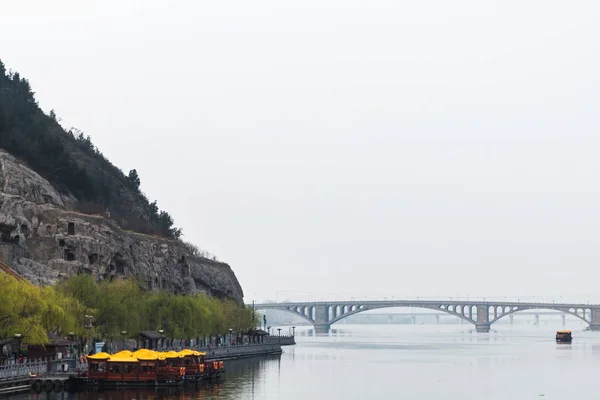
[33,311]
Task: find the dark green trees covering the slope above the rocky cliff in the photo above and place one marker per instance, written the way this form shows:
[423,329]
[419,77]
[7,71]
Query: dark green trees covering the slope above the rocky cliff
[72,163]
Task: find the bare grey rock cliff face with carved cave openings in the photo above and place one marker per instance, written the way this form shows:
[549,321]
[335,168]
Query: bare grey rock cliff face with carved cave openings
[45,241]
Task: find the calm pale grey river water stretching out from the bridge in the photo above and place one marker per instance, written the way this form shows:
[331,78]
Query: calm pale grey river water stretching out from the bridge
[404,362]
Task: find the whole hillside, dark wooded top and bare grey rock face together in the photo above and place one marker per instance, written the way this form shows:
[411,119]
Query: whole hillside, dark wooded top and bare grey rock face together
[65,210]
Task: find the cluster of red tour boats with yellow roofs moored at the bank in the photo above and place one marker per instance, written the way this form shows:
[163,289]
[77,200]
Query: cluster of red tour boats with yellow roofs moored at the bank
[147,368]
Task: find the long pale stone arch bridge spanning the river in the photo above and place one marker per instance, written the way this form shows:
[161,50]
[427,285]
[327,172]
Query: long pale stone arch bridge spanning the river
[482,314]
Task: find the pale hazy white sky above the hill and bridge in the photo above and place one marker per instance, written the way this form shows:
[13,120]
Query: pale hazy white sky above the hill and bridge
[334,149]
